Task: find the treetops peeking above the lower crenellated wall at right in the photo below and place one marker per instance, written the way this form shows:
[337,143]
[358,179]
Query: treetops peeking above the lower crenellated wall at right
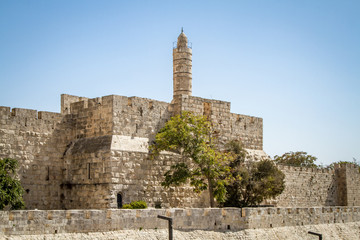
[297,159]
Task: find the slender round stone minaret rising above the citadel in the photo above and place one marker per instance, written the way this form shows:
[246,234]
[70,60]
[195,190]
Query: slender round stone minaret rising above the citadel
[182,63]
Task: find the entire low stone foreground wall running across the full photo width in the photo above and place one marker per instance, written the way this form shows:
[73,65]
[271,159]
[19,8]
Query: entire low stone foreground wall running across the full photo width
[81,221]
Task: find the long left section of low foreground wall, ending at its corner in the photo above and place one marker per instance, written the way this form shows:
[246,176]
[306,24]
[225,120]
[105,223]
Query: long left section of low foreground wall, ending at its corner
[70,221]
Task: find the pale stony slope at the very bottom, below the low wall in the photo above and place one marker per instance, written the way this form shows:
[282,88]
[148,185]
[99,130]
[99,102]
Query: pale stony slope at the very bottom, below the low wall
[337,231]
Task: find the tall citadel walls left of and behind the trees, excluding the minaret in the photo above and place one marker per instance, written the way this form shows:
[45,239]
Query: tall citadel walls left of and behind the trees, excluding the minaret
[99,147]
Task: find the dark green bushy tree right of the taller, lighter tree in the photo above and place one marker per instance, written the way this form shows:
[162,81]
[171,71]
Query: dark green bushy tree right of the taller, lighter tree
[251,182]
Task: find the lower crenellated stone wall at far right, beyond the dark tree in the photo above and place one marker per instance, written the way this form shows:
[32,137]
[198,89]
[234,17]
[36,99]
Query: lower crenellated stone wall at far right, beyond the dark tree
[319,187]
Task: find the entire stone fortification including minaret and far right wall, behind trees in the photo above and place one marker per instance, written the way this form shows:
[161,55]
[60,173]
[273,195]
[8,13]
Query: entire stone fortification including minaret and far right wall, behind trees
[94,154]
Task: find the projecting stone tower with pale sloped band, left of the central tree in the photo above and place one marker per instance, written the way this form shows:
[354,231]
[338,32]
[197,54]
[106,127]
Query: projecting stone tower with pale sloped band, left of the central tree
[109,155]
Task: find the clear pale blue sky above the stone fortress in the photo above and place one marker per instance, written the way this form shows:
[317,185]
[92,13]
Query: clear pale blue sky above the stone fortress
[296,64]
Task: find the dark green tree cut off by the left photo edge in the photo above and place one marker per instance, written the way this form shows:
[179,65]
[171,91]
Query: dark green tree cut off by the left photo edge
[11,190]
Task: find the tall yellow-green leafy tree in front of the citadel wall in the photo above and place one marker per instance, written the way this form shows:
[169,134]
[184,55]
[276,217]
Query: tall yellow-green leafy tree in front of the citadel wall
[190,136]
